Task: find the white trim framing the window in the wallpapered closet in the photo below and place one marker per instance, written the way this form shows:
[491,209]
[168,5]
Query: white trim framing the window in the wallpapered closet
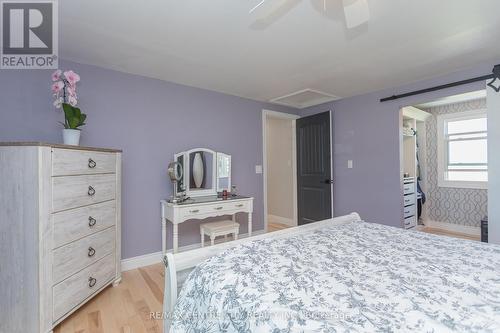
[441,151]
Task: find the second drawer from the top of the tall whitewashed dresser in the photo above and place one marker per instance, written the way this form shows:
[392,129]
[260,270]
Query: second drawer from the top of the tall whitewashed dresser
[77,191]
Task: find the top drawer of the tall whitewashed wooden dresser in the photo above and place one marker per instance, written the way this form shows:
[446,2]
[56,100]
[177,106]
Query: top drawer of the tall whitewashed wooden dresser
[66,162]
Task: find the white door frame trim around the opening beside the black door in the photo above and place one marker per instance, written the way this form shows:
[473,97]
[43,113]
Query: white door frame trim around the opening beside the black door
[293,118]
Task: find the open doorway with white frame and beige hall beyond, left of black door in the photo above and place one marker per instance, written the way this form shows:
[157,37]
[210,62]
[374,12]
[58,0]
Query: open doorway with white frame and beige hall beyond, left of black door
[280,170]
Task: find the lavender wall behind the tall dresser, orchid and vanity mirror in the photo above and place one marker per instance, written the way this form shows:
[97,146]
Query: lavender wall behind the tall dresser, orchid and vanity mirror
[150,120]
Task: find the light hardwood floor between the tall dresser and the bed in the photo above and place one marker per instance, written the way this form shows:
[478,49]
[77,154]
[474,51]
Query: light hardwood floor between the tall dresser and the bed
[126,308]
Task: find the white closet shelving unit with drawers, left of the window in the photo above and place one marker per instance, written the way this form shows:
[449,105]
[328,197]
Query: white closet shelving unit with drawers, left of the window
[412,122]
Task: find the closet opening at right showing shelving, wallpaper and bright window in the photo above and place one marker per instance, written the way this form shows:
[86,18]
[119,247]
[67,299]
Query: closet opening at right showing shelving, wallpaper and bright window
[444,165]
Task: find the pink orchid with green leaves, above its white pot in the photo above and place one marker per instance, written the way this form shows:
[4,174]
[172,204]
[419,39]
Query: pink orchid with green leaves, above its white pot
[64,92]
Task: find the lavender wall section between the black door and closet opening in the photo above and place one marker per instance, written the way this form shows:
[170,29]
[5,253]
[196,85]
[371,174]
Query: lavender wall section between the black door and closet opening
[367,132]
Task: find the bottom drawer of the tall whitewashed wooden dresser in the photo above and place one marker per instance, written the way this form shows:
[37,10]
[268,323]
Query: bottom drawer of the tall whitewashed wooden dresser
[74,290]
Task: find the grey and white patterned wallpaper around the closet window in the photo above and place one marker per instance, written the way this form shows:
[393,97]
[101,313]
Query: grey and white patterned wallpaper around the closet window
[451,205]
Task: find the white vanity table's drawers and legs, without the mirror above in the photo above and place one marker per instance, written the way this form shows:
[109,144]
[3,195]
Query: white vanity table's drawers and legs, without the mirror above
[201,208]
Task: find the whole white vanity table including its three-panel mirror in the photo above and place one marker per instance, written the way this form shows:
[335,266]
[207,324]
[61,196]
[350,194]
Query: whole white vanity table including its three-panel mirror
[198,174]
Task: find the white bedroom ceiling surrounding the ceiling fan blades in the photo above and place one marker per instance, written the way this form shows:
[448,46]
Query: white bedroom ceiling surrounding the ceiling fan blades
[218,46]
